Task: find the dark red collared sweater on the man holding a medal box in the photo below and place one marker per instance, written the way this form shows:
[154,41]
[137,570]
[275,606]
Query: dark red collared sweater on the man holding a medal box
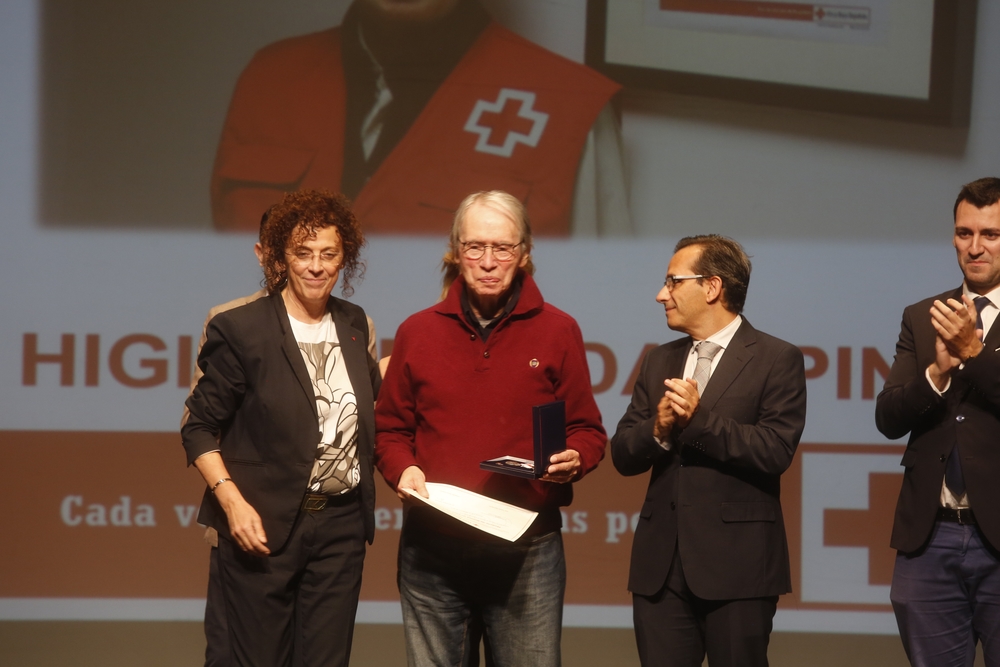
[449,400]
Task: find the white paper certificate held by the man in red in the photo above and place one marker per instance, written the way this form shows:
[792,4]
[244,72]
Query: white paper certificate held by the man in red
[492,516]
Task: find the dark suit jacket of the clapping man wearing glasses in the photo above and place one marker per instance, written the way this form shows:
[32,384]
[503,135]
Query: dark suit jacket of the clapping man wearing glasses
[715,494]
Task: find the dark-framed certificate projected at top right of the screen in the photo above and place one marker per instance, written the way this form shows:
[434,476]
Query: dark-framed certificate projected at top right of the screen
[909,60]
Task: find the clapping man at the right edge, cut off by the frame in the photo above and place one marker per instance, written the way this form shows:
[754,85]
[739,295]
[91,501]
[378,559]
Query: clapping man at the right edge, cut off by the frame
[944,390]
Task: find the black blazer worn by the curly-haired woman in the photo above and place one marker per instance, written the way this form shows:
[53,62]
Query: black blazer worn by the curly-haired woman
[256,404]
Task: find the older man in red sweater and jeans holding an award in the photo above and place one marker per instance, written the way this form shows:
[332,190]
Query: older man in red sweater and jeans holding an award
[463,379]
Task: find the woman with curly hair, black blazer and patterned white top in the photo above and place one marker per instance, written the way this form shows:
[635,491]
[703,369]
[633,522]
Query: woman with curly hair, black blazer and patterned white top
[281,427]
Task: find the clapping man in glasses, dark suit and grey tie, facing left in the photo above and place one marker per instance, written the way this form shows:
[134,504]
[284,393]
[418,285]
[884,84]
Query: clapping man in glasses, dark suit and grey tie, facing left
[710,557]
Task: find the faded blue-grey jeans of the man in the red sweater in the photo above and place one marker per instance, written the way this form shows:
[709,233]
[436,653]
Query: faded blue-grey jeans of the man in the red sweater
[516,589]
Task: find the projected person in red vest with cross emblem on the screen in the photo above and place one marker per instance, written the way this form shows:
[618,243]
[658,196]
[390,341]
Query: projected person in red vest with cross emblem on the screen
[410,105]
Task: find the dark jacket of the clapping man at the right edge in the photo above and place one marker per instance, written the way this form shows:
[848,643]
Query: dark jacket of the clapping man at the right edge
[968,415]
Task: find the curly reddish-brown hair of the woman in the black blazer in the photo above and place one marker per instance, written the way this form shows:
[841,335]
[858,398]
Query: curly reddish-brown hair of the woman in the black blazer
[306,212]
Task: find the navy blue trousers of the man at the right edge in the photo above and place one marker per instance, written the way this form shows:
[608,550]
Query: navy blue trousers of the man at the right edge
[947,597]
